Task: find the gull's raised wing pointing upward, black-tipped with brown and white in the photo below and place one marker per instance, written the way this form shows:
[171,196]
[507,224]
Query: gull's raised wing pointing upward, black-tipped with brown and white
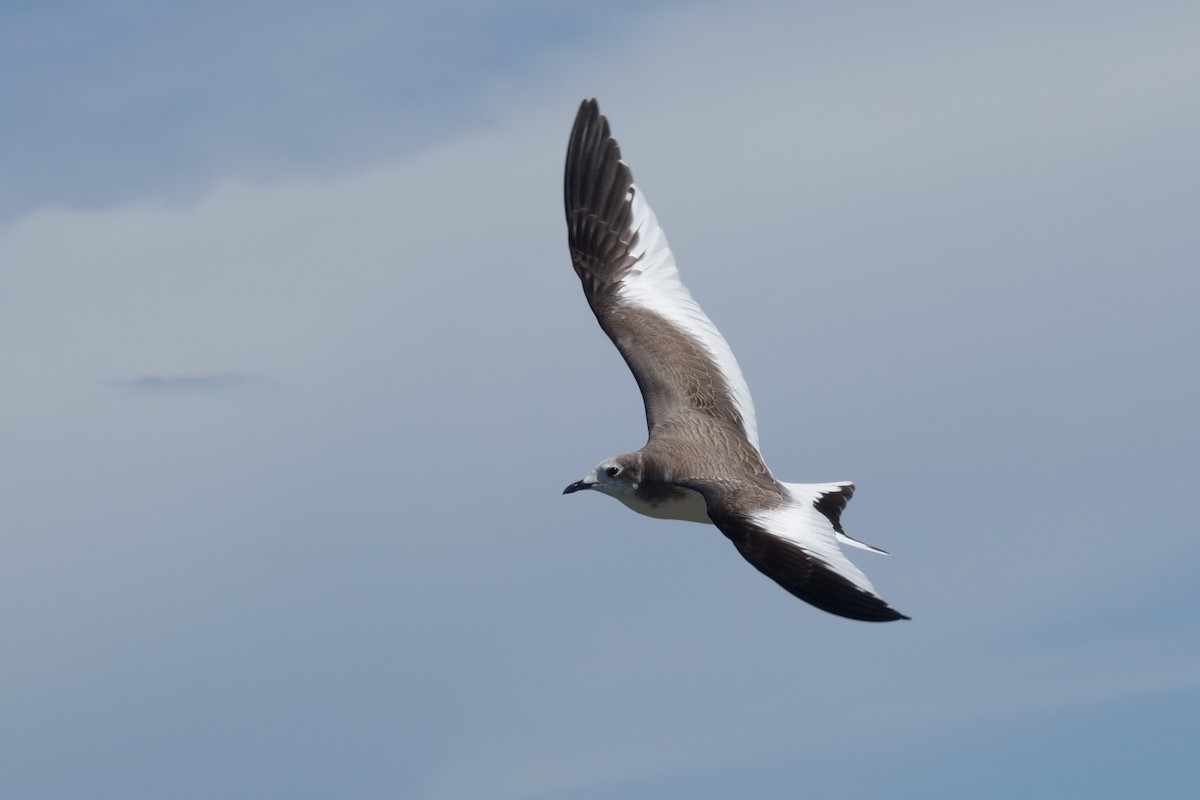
[681,362]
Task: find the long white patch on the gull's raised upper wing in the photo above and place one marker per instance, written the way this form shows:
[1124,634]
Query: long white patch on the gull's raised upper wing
[655,285]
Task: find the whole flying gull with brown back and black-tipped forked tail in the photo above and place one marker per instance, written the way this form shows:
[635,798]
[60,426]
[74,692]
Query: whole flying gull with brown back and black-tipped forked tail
[701,462]
